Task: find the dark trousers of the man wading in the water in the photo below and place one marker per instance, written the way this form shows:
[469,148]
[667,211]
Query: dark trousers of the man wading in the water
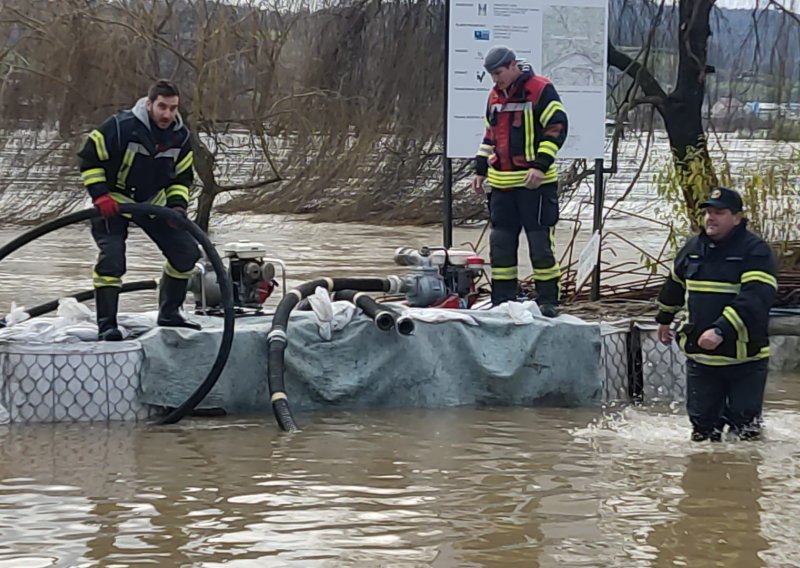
[727,394]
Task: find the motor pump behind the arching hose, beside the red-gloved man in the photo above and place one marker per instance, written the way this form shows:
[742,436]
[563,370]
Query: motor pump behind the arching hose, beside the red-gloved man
[252,276]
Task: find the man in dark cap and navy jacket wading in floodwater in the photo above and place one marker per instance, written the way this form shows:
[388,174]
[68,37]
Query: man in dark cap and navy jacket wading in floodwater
[727,278]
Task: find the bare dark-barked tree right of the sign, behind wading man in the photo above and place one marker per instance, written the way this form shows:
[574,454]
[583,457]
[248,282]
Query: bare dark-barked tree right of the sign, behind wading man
[681,107]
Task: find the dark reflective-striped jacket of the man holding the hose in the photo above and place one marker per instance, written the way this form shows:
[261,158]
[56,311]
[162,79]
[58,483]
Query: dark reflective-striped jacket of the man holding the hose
[131,159]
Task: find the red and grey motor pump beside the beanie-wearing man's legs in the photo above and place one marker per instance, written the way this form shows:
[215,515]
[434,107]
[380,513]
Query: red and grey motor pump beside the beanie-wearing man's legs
[443,278]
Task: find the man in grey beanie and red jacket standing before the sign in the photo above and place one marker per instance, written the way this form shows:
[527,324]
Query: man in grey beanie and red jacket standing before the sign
[526,125]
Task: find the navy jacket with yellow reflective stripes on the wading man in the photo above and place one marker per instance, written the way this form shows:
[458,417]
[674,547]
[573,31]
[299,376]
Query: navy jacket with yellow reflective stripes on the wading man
[729,285]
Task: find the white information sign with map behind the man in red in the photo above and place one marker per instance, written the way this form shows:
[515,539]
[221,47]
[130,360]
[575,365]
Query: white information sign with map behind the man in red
[564,40]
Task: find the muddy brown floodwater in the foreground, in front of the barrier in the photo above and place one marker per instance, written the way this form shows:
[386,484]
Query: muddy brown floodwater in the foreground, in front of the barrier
[457,487]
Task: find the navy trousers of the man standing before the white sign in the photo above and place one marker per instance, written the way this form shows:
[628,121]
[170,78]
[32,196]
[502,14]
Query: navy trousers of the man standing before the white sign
[535,211]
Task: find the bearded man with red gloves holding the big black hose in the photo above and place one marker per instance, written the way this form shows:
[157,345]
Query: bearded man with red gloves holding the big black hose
[140,155]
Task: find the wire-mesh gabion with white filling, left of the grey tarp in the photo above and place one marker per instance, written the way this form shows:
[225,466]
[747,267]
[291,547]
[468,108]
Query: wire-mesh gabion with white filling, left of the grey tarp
[70,383]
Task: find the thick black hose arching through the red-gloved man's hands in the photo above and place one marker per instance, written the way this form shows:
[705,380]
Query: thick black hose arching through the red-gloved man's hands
[226,290]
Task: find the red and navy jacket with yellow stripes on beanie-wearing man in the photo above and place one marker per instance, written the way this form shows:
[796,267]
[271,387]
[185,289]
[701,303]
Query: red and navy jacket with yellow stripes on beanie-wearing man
[526,125]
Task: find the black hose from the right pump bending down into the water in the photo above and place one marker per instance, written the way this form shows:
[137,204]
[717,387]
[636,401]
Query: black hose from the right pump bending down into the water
[277,340]
